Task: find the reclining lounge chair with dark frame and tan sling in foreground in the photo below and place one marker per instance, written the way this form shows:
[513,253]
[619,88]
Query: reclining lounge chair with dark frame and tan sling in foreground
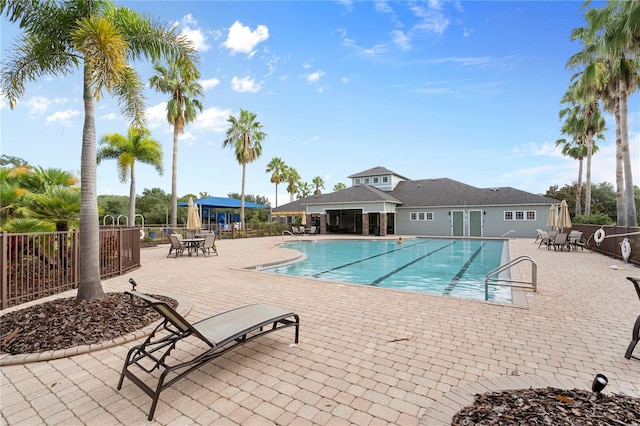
[220,333]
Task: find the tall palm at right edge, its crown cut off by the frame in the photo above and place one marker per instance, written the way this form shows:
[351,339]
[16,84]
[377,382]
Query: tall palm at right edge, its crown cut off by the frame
[611,41]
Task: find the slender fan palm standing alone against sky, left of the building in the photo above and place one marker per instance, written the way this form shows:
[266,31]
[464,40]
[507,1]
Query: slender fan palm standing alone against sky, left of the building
[245,136]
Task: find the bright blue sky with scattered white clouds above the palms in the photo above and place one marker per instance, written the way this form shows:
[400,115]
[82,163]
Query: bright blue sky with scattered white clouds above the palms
[468,90]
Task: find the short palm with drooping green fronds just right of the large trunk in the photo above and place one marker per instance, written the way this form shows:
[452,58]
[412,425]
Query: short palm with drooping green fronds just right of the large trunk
[139,146]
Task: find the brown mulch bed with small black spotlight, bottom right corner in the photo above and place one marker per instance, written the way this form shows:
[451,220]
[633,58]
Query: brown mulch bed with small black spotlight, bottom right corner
[550,406]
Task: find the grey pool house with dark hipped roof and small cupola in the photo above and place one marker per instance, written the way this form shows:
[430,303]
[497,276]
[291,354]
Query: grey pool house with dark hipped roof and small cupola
[382,202]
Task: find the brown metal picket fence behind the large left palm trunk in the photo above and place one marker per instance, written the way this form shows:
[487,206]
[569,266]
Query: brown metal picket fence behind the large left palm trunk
[36,265]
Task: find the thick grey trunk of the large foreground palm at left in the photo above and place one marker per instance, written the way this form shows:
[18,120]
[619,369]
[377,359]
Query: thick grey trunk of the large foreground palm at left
[90,286]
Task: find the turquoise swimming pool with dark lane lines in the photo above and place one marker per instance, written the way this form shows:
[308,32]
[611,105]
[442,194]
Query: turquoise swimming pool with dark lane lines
[455,267]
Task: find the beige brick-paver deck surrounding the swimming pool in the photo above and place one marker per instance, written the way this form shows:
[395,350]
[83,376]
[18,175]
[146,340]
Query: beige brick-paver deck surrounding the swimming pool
[366,355]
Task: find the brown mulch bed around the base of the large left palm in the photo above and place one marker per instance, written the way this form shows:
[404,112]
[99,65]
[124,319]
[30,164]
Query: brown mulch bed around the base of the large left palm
[64,323]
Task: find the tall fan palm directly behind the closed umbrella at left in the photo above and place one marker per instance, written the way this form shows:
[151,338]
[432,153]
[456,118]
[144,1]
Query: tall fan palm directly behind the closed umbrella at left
[180,82]
